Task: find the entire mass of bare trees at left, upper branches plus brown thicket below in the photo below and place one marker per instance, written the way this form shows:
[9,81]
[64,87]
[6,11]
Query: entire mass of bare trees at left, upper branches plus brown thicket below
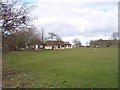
[15,25]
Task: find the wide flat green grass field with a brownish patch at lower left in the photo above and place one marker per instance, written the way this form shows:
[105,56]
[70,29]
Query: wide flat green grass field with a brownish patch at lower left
[73,68]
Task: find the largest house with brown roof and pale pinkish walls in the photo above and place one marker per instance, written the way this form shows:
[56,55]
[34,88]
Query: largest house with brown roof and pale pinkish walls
[54,45]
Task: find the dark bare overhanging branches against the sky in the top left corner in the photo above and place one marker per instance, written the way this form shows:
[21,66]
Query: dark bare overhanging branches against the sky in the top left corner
[13,16]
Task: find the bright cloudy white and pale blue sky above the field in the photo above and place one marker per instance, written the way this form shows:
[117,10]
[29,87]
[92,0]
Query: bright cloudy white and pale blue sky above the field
[83,19]
